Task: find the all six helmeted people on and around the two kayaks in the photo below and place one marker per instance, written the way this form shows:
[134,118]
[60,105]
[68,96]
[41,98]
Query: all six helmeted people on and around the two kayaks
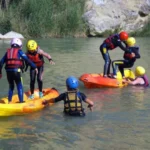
[16,61]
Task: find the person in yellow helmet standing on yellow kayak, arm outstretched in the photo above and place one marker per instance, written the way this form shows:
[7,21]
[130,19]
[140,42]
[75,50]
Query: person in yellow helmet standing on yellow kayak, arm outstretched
[37,55]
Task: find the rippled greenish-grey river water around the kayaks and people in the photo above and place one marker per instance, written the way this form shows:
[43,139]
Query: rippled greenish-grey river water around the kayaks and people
[121,116]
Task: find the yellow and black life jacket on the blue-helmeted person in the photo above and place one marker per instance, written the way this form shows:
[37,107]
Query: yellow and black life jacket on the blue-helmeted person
[73,103]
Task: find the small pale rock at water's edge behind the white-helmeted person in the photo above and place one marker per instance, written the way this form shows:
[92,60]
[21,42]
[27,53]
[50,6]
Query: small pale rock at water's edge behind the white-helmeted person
[11,35]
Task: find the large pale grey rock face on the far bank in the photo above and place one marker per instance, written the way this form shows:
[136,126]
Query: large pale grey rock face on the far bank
[111,15]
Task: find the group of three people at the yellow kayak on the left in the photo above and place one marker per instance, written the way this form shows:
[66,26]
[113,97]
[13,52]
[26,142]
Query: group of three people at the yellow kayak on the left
[16,61]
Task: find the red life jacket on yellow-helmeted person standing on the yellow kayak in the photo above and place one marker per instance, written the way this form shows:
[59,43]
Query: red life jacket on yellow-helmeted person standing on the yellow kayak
[36,58]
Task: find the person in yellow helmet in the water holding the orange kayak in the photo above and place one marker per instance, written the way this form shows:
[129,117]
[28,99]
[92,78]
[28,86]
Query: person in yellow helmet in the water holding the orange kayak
[141,78]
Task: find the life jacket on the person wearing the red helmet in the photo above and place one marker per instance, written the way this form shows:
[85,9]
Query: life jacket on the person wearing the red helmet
[109,41]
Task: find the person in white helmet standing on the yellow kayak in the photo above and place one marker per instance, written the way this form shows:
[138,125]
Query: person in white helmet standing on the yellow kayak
[13,59]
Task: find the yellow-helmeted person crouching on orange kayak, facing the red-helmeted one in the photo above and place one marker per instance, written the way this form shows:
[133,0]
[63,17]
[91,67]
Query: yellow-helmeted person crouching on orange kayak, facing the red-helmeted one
[129,58]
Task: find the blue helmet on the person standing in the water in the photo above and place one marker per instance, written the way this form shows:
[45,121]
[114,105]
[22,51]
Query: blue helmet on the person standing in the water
[72,82]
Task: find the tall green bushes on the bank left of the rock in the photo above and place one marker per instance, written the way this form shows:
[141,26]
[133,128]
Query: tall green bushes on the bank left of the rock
[46,17]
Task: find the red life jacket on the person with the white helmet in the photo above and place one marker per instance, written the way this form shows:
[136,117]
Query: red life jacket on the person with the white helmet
[12,60]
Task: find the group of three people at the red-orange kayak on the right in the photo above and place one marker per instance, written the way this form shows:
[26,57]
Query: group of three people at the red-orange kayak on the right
[131,53]
